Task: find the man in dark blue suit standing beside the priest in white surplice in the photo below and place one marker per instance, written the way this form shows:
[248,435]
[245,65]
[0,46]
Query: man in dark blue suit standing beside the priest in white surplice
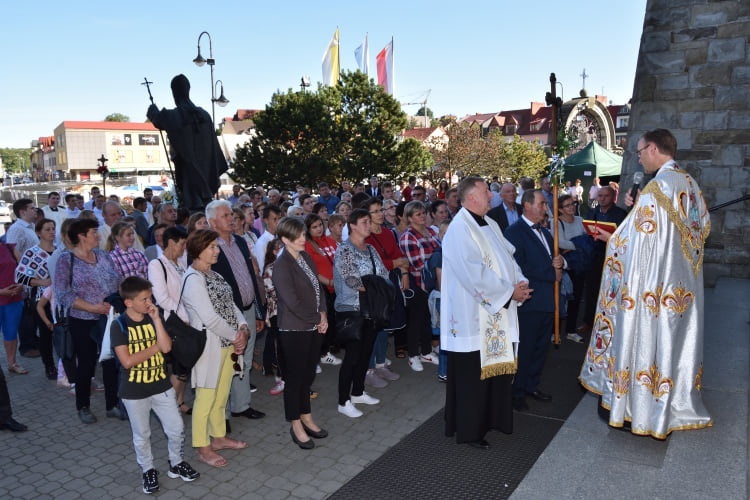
[534,250]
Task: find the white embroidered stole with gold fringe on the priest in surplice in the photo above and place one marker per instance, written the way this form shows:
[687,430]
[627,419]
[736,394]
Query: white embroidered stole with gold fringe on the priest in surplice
[497,352]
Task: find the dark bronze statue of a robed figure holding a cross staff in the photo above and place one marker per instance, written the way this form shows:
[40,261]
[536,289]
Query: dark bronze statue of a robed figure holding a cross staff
[195,149]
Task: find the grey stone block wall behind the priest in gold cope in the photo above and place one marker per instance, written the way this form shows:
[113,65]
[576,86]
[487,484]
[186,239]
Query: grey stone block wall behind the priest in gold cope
[693,77]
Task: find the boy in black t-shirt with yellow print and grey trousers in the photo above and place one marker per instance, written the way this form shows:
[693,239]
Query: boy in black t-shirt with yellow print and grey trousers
[144,385]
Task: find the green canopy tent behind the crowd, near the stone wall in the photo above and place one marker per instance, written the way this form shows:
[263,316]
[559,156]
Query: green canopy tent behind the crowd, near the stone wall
[592,161]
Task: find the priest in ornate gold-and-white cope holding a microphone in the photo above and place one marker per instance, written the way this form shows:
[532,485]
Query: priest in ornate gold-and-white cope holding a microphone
[645,357]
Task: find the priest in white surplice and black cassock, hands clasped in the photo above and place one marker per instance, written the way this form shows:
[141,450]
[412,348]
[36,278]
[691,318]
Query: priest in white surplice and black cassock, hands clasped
[482,287]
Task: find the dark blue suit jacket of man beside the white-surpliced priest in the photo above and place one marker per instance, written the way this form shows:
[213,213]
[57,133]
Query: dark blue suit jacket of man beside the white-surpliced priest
[535,263]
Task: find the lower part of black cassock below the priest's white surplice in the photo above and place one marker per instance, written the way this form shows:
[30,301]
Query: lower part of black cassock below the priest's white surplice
[474,406]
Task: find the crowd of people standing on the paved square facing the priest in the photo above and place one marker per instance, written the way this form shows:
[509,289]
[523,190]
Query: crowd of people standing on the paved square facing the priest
[290,284]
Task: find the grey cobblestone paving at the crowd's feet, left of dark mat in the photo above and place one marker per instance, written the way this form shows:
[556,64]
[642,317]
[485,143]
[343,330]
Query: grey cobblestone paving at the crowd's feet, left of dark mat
[59,457]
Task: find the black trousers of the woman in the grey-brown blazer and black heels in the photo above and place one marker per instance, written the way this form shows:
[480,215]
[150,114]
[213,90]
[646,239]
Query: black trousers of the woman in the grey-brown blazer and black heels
[301,352]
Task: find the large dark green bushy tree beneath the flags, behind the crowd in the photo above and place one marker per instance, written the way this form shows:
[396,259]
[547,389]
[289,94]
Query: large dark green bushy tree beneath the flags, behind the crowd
[348,131]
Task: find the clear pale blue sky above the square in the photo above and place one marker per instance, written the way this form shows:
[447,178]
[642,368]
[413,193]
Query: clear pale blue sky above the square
[84,60]
